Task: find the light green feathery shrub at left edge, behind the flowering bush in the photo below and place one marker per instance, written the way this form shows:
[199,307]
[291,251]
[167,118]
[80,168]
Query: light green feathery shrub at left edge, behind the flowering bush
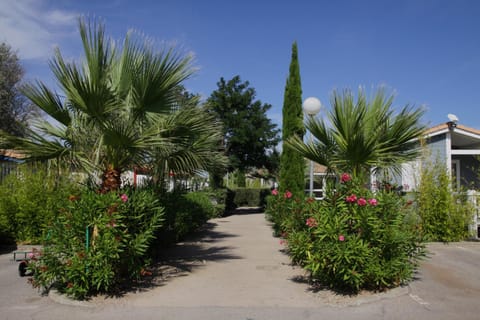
[29,199]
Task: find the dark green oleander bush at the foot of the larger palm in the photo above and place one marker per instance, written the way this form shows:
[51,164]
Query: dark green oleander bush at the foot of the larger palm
[97,242]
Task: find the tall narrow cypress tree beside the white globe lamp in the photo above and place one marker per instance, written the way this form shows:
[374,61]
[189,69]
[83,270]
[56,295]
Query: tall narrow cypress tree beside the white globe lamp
[292,163]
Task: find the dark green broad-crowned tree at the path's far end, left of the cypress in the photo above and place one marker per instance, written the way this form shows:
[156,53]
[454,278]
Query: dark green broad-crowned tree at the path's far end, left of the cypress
[248,134]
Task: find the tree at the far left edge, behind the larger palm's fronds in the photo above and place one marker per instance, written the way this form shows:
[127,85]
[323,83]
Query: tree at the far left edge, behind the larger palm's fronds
[14,107]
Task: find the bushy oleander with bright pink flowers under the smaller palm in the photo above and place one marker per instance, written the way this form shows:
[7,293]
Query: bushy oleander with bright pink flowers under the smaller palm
[351,240]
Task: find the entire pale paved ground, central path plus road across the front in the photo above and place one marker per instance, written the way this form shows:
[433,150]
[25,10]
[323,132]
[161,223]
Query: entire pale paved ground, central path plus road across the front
[235,270]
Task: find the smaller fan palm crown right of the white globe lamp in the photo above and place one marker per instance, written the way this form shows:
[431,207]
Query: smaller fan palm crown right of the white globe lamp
[362,135]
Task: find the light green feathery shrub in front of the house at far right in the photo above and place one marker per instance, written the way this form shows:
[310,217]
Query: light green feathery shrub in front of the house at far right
[445,215]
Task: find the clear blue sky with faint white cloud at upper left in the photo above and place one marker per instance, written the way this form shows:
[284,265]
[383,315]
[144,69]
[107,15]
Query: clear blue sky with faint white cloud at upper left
[427,51]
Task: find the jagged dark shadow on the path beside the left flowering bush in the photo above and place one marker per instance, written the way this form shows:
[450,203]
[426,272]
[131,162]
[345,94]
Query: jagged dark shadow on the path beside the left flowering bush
[183,258]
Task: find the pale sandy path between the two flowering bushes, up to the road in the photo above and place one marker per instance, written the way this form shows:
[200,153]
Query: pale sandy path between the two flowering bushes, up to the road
[235,263]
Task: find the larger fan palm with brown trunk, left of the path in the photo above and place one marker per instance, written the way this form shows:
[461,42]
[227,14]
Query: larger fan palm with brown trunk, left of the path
[118,109]
